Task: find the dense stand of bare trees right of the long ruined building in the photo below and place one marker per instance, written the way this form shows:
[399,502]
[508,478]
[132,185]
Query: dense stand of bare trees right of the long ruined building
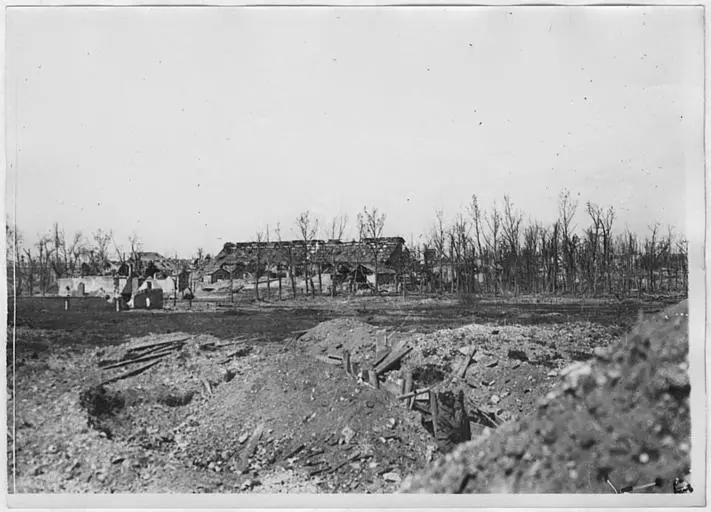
[497,251]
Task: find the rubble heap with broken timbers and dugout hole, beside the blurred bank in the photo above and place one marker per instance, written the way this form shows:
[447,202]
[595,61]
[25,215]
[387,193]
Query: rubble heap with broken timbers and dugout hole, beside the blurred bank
[497,372]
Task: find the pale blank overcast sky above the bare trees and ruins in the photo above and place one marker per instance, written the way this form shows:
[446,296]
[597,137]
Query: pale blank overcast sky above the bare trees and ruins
[197,126]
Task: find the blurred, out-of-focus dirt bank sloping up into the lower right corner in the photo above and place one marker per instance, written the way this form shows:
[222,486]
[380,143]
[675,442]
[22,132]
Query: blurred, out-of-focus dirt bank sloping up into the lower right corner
[620,420]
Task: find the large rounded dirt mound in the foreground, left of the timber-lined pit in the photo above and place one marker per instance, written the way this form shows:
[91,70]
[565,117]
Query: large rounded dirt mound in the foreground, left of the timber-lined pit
[289,418]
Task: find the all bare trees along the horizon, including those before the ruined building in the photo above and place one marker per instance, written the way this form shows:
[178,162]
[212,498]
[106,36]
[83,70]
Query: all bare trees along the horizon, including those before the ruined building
[481,250]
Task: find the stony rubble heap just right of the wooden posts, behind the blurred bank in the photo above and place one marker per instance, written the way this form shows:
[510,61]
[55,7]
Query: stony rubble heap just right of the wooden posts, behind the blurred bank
[500,369]
